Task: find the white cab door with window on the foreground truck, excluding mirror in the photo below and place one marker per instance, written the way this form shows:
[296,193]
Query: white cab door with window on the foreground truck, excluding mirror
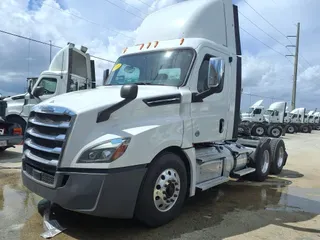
[209,116]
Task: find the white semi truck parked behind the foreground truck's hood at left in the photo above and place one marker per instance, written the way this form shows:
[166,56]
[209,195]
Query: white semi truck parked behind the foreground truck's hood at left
[52,82]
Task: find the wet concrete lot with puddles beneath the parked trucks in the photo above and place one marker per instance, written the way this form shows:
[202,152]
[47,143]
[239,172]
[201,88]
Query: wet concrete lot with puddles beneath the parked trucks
[283,207]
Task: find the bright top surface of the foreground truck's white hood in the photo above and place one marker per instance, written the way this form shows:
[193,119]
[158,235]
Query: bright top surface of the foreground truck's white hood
[102,96]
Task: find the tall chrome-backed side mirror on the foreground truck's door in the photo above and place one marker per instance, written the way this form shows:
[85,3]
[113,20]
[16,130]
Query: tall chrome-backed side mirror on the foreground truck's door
[215,72]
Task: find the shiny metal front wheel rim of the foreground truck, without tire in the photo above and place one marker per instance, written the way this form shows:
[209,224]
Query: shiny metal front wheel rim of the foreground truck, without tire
[166,190]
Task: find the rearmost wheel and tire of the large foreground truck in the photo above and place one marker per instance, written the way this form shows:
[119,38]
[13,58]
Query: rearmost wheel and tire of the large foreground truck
[278,155]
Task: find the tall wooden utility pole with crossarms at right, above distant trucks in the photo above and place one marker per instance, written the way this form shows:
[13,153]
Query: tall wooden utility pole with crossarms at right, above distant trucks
[295,73]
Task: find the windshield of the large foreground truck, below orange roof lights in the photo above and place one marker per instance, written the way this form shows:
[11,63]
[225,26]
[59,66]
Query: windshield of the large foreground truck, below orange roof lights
[154,68]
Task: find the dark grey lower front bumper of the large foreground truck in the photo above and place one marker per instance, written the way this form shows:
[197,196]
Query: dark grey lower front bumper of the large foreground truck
[106,193]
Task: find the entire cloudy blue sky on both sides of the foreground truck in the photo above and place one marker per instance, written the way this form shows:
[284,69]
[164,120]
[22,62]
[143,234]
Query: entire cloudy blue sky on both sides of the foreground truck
[265,72]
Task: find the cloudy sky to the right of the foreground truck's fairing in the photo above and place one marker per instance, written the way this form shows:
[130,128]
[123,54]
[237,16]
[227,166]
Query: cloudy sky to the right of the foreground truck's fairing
[266,72]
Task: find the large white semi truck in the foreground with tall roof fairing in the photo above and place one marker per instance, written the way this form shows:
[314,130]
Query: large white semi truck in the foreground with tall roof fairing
[164,125]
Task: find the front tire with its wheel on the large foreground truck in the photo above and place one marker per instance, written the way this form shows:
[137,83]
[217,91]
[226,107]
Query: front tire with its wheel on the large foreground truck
[163,191]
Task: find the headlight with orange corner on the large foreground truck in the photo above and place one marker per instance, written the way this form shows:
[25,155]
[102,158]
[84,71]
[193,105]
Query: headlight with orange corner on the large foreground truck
[105,152]
